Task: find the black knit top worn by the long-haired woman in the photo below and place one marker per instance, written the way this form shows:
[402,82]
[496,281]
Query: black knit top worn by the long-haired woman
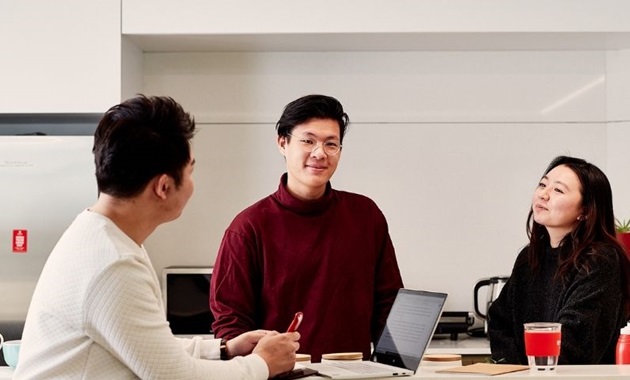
[589,306]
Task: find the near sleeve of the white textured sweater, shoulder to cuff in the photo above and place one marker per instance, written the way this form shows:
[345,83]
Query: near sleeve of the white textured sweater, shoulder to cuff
[122,314]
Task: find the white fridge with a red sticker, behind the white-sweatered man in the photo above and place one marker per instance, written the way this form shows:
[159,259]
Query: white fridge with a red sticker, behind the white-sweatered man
[45,181]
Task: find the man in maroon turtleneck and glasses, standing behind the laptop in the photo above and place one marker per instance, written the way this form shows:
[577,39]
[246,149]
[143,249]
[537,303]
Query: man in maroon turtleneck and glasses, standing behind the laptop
[308,247]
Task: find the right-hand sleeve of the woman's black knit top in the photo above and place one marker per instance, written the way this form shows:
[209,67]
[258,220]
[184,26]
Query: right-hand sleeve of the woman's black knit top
[589,312]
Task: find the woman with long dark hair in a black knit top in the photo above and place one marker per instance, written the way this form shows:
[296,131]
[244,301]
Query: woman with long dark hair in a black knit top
[573,271]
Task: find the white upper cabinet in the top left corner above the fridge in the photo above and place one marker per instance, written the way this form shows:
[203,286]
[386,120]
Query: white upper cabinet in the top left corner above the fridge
[60,56]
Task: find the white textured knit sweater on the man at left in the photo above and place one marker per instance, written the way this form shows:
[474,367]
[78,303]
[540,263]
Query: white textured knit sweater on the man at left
[97,313]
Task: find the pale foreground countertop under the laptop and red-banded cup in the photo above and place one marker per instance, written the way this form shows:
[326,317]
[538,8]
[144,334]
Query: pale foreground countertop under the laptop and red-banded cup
[567,372]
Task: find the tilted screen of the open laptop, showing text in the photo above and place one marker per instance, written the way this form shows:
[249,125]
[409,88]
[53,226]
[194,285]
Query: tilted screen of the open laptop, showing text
[409,328]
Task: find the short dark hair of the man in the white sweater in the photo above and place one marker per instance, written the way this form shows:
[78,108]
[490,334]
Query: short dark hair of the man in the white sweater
[139,139]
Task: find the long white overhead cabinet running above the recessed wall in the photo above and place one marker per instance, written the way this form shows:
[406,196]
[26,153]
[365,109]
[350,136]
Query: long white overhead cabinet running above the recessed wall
[376,25]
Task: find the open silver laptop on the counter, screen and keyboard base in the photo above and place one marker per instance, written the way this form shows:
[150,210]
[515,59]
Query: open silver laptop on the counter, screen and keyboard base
[409,328]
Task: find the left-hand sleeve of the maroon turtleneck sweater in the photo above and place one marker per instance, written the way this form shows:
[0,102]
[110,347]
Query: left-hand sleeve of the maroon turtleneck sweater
[232,298]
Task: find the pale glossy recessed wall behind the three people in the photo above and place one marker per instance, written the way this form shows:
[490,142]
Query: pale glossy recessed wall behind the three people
[449,144]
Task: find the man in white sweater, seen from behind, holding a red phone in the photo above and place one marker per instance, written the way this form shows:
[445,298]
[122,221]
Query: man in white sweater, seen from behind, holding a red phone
[97,310]
